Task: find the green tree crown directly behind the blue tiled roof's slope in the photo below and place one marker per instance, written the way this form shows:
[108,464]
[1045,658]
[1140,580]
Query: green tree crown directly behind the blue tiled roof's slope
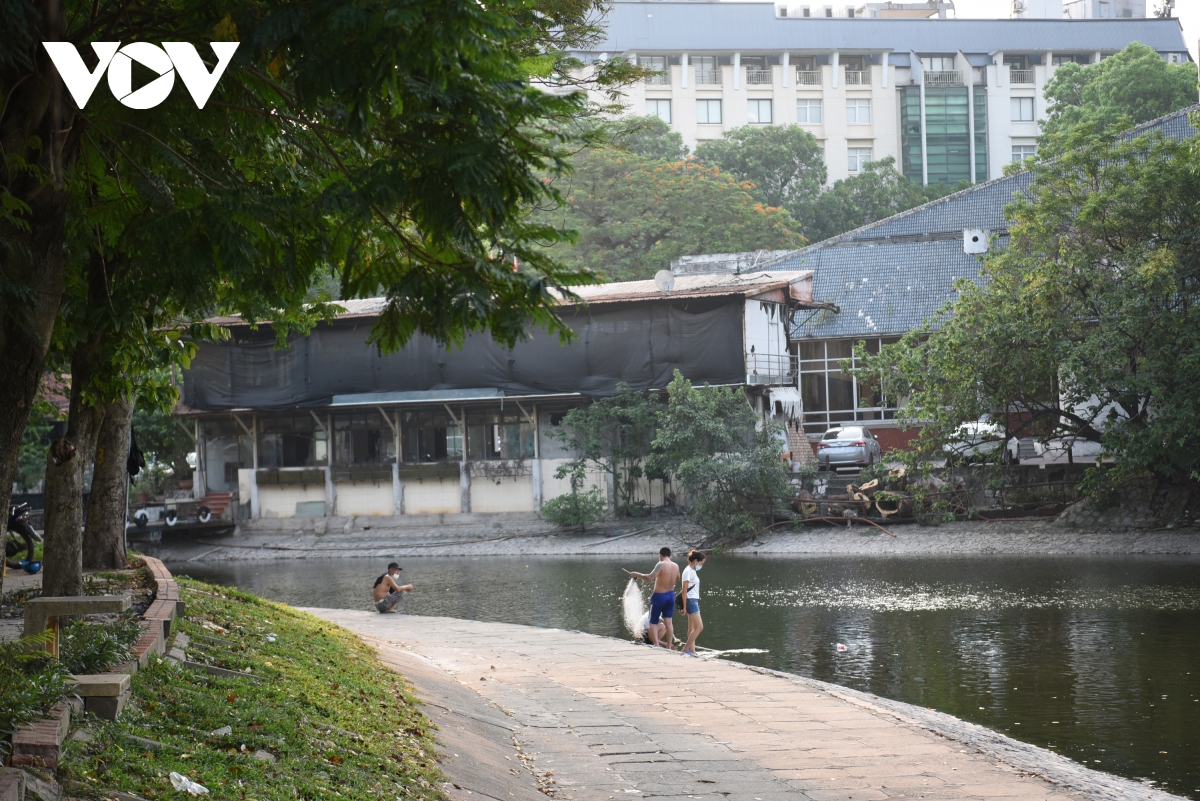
[879,191]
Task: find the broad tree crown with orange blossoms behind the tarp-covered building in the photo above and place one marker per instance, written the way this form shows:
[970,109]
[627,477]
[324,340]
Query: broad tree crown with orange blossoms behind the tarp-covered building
[635,215]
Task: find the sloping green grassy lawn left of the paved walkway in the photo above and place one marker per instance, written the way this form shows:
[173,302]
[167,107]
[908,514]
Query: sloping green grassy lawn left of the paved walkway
[316,718]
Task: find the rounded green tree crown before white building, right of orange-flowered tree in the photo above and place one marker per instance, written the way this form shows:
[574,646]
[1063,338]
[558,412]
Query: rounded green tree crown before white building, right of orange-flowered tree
[784,162]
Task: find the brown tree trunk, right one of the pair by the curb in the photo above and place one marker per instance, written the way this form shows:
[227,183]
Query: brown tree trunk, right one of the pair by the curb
[104,535]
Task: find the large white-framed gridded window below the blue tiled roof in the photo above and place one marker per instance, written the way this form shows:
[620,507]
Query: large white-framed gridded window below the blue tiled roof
[833,398]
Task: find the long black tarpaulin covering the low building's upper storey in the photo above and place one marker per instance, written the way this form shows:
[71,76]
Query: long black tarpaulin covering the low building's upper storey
[639,344]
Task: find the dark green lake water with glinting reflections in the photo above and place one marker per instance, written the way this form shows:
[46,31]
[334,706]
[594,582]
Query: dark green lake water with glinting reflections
[1095,658]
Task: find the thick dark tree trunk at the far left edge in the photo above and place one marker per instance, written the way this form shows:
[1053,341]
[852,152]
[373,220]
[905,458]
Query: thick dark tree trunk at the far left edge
[38,127]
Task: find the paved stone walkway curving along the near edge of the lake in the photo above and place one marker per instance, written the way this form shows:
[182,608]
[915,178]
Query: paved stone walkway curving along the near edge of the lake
[527,712]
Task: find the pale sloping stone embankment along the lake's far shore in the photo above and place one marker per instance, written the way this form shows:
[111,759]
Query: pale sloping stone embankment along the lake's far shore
[380,539]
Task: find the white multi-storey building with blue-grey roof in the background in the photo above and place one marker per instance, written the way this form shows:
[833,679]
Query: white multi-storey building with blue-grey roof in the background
[951,100]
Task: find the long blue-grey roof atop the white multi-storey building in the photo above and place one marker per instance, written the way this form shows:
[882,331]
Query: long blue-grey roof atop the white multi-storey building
[754,27]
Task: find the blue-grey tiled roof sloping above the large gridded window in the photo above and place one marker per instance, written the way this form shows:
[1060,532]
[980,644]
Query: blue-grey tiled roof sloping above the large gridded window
[892,275]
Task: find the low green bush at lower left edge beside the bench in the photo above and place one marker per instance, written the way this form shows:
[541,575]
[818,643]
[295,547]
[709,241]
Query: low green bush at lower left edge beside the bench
[33,684]
